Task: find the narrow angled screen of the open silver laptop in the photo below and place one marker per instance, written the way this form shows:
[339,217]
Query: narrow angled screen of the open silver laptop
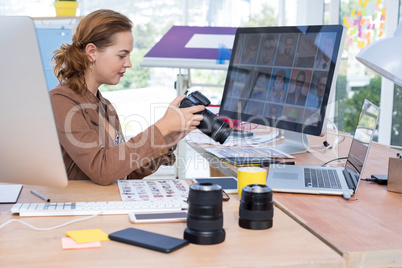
[361,141]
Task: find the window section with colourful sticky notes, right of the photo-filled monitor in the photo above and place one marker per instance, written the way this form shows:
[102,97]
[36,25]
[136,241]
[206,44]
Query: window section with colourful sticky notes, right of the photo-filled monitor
[355,82]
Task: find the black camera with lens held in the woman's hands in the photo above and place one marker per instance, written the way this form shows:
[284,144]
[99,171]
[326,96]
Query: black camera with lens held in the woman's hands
[212,125]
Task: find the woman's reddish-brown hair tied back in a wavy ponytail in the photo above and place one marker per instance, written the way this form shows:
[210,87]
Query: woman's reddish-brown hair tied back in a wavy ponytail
[100,28]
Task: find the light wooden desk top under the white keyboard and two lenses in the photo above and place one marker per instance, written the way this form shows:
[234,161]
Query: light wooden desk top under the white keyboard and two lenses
[283,245]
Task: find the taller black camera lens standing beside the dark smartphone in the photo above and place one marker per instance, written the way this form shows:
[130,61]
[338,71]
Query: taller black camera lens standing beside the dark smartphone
[205,216]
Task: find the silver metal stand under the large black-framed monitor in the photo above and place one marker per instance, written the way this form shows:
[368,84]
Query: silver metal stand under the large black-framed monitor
[294,142]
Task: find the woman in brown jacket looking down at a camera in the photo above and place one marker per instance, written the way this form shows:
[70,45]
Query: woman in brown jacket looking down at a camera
[88,126]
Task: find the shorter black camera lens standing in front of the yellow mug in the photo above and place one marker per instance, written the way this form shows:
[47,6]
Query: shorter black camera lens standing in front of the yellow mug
[256,207]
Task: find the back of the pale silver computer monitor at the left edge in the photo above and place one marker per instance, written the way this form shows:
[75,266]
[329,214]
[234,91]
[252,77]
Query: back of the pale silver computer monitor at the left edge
[30,151]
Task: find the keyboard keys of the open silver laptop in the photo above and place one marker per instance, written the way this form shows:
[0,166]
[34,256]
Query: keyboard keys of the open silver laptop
[321,178]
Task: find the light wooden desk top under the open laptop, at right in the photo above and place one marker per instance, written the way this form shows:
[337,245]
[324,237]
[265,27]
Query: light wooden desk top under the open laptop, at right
[366,232]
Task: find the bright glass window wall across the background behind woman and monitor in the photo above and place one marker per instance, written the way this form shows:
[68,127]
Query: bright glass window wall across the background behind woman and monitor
[154,17]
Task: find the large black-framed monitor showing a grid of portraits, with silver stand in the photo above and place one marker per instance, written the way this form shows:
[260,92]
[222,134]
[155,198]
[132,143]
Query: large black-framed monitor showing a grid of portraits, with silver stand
[284,77]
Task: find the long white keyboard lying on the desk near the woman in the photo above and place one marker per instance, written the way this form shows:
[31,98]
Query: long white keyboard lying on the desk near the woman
[91,208]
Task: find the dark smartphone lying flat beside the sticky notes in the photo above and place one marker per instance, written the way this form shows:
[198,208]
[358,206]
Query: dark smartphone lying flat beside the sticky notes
[149,240]
